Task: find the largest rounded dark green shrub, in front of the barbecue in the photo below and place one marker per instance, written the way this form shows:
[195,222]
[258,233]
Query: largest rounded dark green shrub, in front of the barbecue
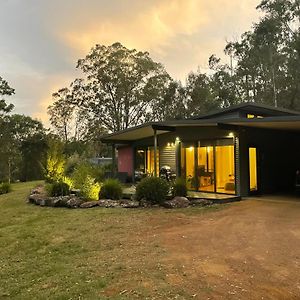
[152,189]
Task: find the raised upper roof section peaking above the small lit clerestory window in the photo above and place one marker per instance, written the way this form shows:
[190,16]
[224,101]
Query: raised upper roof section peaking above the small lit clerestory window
[249,107]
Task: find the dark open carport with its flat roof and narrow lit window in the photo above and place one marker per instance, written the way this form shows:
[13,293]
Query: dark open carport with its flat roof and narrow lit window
[276,144]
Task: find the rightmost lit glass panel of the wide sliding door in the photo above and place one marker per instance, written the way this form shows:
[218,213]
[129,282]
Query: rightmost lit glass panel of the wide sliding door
[225,174]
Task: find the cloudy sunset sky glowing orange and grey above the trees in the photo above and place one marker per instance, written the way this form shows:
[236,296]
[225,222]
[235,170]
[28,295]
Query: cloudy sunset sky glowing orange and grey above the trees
[41,40]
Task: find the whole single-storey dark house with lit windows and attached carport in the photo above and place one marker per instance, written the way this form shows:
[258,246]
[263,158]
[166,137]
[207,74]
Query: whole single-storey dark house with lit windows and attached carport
[244,149]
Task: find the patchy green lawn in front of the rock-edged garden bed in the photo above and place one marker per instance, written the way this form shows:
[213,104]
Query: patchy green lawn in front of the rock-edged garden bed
[58,253]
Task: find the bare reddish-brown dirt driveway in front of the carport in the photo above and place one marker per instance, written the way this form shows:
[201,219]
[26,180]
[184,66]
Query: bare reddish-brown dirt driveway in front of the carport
[250,250]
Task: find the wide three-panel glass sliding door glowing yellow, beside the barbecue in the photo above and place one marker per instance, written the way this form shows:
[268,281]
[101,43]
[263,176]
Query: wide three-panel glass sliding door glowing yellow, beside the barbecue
[210,166]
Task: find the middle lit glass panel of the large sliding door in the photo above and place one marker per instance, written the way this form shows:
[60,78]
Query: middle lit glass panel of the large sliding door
[206,169]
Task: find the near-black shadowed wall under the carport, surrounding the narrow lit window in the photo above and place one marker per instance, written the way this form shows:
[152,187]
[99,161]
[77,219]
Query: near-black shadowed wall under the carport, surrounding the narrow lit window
[278,159]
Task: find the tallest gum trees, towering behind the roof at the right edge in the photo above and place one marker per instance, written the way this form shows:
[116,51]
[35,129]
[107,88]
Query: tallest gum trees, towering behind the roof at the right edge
[268,62]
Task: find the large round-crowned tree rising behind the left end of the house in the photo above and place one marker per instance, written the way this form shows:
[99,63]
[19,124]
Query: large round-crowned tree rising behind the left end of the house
[124,86]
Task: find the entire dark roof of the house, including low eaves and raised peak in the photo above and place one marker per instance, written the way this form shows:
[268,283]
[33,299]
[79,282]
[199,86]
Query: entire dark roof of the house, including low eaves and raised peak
[280,119]
